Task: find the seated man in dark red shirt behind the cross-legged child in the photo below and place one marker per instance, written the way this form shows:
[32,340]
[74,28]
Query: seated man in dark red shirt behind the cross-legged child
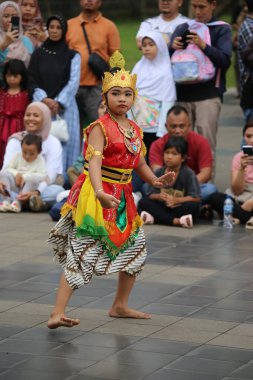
[199,156]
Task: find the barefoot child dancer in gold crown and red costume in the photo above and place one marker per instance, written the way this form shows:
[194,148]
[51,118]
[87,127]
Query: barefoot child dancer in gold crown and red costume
[100,231]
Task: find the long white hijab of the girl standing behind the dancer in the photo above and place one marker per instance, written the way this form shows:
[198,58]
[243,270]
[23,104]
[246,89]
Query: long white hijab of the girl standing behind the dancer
[154,77]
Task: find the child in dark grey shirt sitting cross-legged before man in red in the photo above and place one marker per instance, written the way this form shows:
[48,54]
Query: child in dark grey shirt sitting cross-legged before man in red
[179,203]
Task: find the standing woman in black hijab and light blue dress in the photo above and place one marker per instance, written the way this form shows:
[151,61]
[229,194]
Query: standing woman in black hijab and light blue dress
[54,73]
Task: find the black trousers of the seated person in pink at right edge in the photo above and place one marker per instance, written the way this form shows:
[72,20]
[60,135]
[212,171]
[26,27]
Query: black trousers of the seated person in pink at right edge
[216,201]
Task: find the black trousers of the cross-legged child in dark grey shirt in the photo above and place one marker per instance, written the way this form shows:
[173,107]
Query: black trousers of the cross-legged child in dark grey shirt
[165,215]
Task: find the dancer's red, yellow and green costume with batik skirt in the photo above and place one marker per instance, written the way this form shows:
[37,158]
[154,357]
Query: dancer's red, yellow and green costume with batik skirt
[90,239]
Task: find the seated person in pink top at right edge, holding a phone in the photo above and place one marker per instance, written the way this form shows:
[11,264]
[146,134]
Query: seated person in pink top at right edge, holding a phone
[241,189]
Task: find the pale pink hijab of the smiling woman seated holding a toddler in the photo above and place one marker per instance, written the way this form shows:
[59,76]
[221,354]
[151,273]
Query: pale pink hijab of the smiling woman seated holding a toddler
[46,122]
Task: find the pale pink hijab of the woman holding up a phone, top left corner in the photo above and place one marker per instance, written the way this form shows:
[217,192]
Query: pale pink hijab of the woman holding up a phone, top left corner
[16,50]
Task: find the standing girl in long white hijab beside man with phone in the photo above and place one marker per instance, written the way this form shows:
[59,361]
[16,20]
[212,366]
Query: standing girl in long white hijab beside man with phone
[156,88]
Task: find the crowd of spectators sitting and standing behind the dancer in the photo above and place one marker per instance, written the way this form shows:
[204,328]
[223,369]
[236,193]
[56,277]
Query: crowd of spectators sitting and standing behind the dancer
[50,80]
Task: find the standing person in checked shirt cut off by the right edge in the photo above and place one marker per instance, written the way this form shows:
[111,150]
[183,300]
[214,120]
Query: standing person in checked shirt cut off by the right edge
[245,45]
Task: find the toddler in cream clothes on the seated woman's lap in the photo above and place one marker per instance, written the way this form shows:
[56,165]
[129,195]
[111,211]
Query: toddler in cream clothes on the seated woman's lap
[23,173]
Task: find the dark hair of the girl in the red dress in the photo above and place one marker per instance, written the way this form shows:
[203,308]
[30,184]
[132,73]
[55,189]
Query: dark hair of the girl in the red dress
[15,67]
